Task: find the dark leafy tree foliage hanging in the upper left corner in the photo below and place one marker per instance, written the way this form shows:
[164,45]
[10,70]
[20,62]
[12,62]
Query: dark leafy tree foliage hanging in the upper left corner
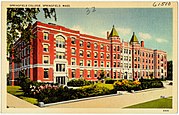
[19,23]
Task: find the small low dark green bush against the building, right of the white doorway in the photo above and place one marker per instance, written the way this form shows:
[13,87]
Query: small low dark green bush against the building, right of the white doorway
[79,82]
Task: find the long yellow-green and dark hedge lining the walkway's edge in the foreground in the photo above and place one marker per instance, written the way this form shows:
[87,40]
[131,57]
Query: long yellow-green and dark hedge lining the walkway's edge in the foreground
[52,94]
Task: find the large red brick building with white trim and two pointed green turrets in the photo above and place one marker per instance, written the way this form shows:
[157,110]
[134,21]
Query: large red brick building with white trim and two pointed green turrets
[59,54]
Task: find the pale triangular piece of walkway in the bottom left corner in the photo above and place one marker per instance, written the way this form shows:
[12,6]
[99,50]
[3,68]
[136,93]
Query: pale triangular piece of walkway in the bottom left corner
[15,102]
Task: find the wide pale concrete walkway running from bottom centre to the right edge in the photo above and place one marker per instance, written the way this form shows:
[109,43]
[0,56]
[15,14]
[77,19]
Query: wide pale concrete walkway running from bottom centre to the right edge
[119,101]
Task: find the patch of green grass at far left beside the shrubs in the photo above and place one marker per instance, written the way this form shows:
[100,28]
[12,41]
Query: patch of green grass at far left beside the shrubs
[16,91]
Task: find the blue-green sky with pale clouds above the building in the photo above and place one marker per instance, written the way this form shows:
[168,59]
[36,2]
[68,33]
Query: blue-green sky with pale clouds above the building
[153,25]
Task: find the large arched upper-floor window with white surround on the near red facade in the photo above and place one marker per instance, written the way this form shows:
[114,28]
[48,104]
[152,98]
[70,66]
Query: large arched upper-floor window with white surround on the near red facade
[60,41]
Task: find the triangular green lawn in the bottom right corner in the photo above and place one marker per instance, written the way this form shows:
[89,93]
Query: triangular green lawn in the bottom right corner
[159,103]
